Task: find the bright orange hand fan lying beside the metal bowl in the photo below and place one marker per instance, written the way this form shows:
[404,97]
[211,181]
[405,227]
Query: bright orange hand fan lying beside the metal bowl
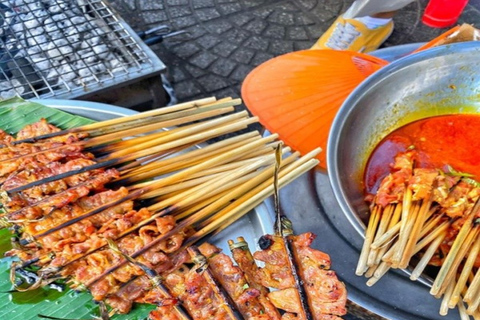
[298,94]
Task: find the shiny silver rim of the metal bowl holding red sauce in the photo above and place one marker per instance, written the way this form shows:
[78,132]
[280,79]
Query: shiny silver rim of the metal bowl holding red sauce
[356,95]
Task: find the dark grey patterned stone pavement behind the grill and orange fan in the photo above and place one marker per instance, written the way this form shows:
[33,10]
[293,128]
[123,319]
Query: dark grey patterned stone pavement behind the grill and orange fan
[228,38]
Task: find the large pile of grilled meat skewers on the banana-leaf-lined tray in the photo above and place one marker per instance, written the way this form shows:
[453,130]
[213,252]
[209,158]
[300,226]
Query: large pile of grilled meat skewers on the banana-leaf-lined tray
[102,240]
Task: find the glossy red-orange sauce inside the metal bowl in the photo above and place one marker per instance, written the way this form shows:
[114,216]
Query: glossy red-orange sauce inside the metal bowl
[451,140]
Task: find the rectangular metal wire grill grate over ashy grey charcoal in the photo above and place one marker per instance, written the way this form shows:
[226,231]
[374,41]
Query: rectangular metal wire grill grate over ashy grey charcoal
[66,48]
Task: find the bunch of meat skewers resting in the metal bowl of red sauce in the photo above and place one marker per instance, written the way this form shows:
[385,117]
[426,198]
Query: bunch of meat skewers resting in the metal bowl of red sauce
[421,217]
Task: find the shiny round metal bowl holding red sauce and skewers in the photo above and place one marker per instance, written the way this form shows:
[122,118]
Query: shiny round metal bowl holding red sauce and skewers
[437,81]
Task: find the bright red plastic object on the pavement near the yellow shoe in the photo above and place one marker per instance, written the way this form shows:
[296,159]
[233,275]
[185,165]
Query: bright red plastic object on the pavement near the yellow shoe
[443,13]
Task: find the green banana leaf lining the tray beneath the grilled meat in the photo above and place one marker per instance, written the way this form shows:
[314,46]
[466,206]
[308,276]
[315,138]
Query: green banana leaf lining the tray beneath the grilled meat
[15,113]
